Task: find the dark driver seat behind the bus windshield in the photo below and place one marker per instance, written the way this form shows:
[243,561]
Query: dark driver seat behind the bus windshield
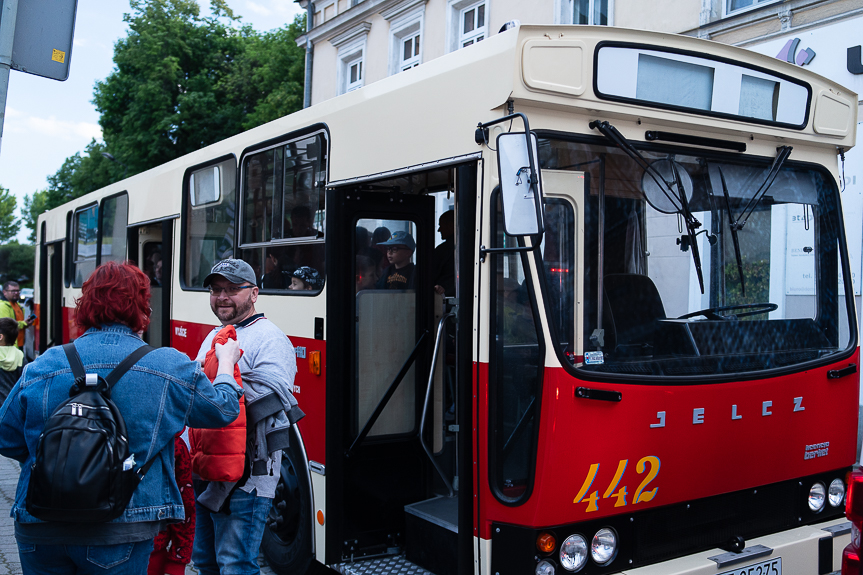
[633,309]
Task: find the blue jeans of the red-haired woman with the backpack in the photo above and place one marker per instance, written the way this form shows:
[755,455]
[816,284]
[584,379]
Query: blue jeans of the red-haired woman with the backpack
[121,559]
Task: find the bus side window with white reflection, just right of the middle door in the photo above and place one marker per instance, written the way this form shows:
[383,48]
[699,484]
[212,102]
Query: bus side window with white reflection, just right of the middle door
[208,220]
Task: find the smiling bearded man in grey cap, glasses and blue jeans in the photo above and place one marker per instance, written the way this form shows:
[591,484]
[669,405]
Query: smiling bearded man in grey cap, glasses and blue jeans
[228,540]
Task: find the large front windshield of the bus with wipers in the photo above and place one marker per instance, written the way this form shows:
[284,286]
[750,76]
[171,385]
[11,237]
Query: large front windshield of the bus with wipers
[701,265]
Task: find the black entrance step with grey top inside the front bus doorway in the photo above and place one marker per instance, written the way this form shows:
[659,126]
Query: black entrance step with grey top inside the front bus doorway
[431,534]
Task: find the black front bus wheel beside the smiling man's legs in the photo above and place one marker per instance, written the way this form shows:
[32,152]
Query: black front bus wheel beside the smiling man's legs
[287,541]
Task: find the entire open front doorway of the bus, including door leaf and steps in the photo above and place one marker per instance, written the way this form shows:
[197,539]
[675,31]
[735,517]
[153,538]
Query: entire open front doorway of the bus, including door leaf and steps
[403,386]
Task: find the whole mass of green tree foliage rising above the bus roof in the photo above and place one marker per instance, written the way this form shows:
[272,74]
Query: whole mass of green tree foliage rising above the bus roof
[182,81]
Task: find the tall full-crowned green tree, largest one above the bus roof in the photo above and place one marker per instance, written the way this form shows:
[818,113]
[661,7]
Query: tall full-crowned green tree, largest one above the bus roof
[162,101]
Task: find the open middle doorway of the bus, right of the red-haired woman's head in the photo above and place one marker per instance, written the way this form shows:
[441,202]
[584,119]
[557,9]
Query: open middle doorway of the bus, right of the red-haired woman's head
[151,248]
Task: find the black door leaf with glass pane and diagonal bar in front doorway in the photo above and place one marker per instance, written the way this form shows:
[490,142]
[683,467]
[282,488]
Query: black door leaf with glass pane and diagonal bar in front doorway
[375,459]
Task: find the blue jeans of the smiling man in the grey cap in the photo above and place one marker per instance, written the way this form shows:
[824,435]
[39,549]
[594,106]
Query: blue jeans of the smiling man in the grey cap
[228,544]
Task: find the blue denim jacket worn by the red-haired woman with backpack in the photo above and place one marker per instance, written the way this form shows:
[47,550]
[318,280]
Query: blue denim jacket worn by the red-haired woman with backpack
[158,396]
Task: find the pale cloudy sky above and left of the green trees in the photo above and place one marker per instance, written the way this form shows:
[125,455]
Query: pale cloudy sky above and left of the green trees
[48,121]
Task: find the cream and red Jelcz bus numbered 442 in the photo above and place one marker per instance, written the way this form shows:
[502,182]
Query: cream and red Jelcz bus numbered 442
[645,360]
